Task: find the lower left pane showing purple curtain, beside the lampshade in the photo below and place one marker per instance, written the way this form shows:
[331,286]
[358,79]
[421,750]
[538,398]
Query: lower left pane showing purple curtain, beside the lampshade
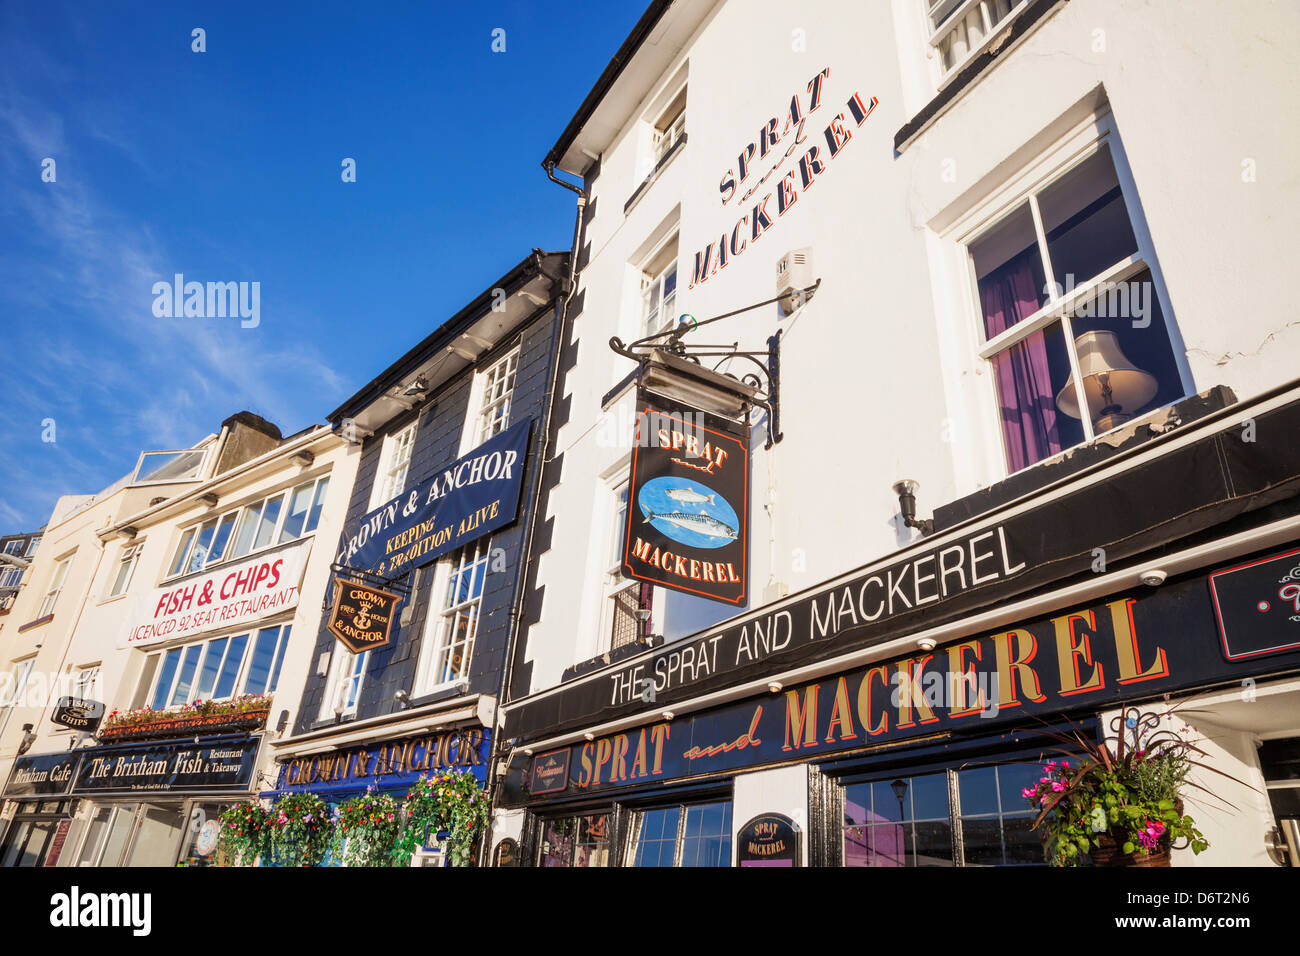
[1029,379]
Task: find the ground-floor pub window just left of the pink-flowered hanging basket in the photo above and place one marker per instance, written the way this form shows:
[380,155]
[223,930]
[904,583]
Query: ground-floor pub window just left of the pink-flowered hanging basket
[973,817]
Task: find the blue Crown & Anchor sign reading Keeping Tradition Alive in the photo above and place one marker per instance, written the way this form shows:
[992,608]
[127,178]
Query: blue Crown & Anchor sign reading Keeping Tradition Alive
[466,500]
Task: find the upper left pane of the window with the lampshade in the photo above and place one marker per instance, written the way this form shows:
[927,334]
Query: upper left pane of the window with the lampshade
[1009,272]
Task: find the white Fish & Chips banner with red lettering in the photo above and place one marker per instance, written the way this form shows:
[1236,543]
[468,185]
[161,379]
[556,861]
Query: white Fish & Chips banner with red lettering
[229,596]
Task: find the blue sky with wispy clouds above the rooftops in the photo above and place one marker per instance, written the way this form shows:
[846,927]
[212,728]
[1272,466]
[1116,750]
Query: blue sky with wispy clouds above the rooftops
[226,166]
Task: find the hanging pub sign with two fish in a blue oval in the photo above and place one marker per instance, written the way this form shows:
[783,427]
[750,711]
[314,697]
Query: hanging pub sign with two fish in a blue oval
[688,503]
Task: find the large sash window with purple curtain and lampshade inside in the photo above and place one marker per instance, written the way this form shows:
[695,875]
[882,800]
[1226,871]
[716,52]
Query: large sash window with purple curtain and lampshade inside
[1072,321]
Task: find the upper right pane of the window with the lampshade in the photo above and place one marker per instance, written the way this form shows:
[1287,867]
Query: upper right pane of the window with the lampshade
[1086,222]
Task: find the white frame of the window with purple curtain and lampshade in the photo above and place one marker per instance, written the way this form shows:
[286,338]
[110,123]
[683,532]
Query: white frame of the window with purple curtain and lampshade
[1047,167]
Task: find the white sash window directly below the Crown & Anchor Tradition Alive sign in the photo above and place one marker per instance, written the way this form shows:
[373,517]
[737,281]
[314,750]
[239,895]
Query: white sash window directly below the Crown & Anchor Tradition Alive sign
[450,631]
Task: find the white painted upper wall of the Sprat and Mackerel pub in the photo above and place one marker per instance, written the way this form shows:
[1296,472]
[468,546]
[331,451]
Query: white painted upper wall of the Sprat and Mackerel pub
[881,371]
